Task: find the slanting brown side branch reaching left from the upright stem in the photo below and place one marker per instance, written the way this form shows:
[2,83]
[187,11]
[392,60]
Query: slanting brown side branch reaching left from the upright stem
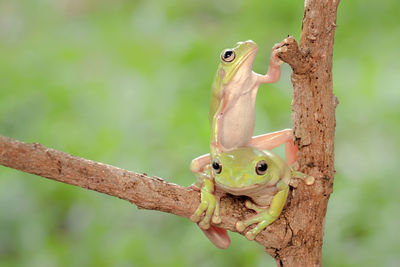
[145,192]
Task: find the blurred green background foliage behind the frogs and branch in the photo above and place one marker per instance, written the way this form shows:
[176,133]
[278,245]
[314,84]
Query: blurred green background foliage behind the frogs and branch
[127,83]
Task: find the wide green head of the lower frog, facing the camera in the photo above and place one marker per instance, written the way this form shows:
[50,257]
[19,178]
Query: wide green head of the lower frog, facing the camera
[246,168]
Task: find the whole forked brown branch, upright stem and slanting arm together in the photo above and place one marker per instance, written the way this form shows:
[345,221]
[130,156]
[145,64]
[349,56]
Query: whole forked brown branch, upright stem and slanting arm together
[295,239]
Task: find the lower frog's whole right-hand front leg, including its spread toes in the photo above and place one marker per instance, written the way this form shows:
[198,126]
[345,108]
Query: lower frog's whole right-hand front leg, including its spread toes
[265,216]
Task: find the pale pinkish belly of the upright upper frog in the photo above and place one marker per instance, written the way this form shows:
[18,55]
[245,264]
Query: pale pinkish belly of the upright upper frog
[237,125]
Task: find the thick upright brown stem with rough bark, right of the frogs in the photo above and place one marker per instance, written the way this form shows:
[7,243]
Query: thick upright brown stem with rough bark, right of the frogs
[314,123]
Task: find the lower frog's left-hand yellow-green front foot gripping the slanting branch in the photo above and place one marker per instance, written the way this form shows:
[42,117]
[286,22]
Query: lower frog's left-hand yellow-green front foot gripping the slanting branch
[210,206]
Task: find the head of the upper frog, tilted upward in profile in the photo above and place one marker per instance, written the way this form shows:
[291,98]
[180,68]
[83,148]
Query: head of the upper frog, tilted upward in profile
[237,61]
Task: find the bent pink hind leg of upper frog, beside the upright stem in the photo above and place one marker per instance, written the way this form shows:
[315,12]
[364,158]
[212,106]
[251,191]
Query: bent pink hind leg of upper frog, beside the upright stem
[271,140]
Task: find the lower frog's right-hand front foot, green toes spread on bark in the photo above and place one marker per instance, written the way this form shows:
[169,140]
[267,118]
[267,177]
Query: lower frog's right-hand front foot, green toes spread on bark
[263,219]
